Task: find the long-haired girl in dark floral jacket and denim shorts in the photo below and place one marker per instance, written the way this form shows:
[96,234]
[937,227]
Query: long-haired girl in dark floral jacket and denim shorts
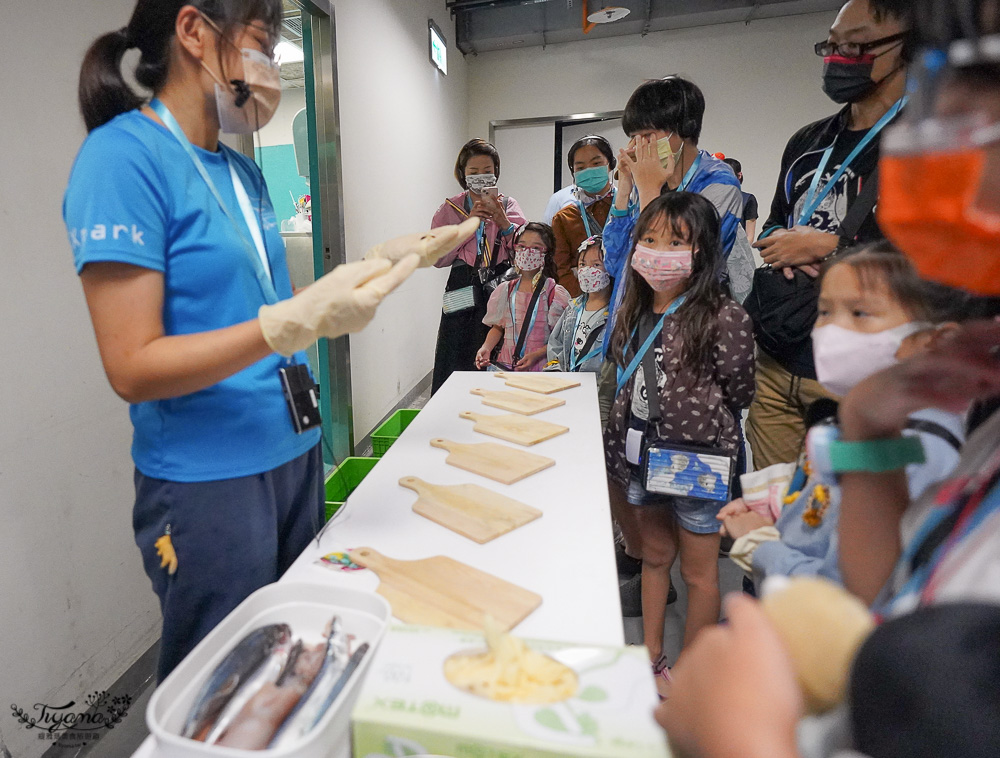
[703,345]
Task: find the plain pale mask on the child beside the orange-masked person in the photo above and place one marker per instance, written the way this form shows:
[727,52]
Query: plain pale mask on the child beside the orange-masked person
[845,357]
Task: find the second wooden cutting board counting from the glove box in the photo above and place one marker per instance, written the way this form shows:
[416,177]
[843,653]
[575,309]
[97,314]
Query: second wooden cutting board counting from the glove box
[472,511]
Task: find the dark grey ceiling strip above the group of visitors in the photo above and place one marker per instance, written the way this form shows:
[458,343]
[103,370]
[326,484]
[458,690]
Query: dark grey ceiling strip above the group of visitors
[486,25]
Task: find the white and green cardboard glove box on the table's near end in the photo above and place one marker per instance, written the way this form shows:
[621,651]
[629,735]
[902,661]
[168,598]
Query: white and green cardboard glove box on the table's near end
[408,706]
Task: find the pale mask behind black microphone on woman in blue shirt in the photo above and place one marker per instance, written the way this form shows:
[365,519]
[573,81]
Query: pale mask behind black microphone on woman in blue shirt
[256,96]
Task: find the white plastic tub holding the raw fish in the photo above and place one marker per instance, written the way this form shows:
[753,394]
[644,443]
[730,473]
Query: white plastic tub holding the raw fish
[306,608]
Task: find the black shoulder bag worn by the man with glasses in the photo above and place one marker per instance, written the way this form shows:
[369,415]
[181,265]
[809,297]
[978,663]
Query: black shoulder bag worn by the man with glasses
[784,310]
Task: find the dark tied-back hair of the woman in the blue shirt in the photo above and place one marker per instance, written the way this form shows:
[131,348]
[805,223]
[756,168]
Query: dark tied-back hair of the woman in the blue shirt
[103,91]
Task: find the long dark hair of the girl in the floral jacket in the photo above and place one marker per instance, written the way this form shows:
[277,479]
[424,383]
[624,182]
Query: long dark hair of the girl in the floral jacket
[695,219]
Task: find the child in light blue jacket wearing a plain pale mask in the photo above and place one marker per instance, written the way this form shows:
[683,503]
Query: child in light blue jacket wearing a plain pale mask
[873,312]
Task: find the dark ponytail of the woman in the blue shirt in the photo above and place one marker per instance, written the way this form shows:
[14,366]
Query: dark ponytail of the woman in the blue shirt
[104,93]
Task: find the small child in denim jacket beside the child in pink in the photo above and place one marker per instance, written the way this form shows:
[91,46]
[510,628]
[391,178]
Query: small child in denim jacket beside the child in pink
[575,343]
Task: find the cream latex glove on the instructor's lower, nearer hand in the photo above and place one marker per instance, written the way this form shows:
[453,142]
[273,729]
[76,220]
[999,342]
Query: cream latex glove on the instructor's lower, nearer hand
[338,303]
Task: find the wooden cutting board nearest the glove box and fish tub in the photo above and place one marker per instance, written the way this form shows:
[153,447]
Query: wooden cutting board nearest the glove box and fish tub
[440,591]
